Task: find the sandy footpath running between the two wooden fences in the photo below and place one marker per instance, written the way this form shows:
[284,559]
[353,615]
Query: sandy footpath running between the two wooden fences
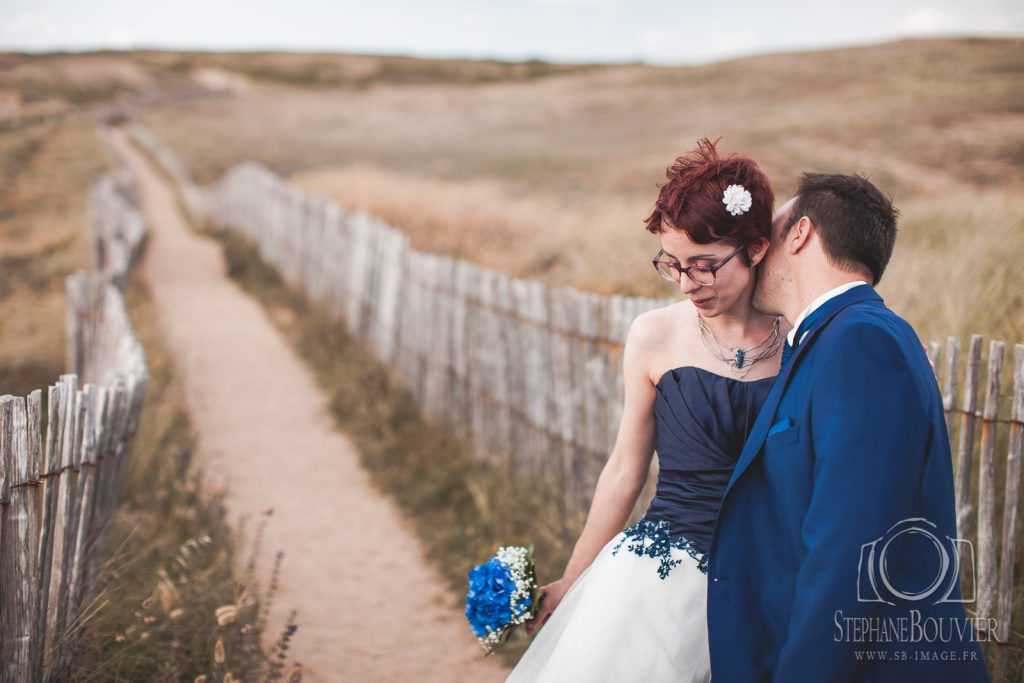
[369,609]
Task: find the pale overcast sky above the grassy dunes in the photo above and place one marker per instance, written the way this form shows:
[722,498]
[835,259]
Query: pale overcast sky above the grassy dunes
[663,32]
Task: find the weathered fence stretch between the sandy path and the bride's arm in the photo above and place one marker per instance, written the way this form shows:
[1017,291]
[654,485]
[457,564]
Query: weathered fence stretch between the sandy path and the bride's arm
[515,366]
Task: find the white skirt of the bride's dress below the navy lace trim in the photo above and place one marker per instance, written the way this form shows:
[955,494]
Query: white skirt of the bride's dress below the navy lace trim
[621,622]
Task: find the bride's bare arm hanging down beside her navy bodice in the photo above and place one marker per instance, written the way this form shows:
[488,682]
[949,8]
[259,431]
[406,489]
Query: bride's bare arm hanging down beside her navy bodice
[625,474]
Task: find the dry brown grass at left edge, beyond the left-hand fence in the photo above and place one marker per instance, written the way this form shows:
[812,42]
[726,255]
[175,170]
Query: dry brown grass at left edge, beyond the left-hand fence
[47,172]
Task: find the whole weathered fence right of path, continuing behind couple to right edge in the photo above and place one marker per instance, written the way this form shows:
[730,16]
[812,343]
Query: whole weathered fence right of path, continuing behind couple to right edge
[533,374]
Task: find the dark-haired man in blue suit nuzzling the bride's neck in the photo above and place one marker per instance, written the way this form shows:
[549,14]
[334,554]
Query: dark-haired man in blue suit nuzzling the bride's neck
[835,557]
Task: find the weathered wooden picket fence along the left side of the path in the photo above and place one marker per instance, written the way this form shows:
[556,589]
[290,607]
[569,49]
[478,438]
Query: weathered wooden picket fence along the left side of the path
[62,463]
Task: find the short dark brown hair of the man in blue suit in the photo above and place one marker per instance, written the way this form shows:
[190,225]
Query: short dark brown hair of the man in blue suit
[857,223]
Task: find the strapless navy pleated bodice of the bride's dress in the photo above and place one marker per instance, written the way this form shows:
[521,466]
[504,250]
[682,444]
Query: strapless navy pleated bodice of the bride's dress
[702,420]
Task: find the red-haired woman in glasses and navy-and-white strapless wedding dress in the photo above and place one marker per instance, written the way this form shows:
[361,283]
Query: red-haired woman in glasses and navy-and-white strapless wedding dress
[631,604]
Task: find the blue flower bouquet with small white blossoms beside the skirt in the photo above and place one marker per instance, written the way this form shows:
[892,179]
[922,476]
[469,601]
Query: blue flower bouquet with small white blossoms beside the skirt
[502,595]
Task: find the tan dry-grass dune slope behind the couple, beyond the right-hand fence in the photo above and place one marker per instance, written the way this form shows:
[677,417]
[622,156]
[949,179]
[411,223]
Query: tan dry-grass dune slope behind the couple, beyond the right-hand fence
[551,179]
